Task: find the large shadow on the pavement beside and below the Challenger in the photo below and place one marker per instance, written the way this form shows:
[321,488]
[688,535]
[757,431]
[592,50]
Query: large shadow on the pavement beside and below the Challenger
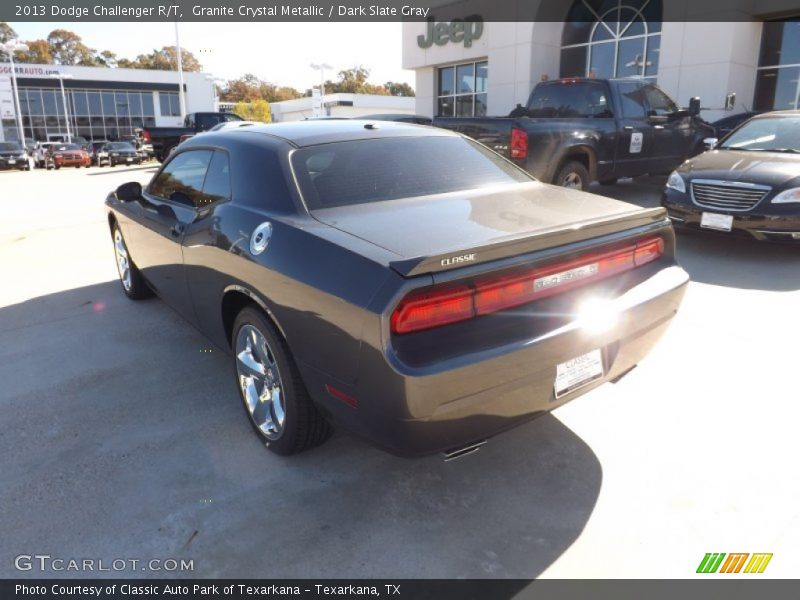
[124,437]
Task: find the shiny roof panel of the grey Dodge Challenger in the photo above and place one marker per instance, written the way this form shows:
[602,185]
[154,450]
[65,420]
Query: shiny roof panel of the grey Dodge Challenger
[311,133]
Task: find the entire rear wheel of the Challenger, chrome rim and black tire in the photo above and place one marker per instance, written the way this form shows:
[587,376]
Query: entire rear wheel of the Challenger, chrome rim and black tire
[275,399]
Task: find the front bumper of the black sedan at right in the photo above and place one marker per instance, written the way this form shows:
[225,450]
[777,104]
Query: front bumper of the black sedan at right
[753,224]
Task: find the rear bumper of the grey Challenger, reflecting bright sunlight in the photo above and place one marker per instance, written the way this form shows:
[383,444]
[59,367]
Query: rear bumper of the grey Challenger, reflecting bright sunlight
[416,414]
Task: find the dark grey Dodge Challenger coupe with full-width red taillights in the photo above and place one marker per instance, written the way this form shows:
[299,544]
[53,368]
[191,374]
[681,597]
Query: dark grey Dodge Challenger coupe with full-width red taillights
[402,282]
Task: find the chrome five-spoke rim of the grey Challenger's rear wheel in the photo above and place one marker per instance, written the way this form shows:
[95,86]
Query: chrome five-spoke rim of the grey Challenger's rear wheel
[260,381]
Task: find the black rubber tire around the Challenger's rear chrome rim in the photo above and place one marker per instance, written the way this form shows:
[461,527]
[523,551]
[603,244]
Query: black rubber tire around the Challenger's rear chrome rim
[304,427]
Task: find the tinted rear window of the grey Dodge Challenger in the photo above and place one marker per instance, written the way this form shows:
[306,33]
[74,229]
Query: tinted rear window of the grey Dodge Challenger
[358,172]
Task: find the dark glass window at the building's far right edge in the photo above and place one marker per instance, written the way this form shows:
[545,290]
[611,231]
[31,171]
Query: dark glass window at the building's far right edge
[778,75]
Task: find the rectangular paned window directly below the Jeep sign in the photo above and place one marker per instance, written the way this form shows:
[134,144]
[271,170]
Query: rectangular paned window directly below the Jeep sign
[462,90]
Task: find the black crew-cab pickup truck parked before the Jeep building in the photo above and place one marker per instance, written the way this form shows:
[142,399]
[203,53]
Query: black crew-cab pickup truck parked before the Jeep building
[575,131]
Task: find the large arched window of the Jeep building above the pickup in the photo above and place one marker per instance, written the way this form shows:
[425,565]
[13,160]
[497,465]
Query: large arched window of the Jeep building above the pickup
[611,38]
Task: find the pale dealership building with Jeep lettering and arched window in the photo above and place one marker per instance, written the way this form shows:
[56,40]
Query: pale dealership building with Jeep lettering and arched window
[477,67]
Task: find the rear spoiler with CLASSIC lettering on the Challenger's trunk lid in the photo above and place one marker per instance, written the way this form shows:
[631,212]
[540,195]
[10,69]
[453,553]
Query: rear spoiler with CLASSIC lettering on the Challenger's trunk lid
[530,242]
